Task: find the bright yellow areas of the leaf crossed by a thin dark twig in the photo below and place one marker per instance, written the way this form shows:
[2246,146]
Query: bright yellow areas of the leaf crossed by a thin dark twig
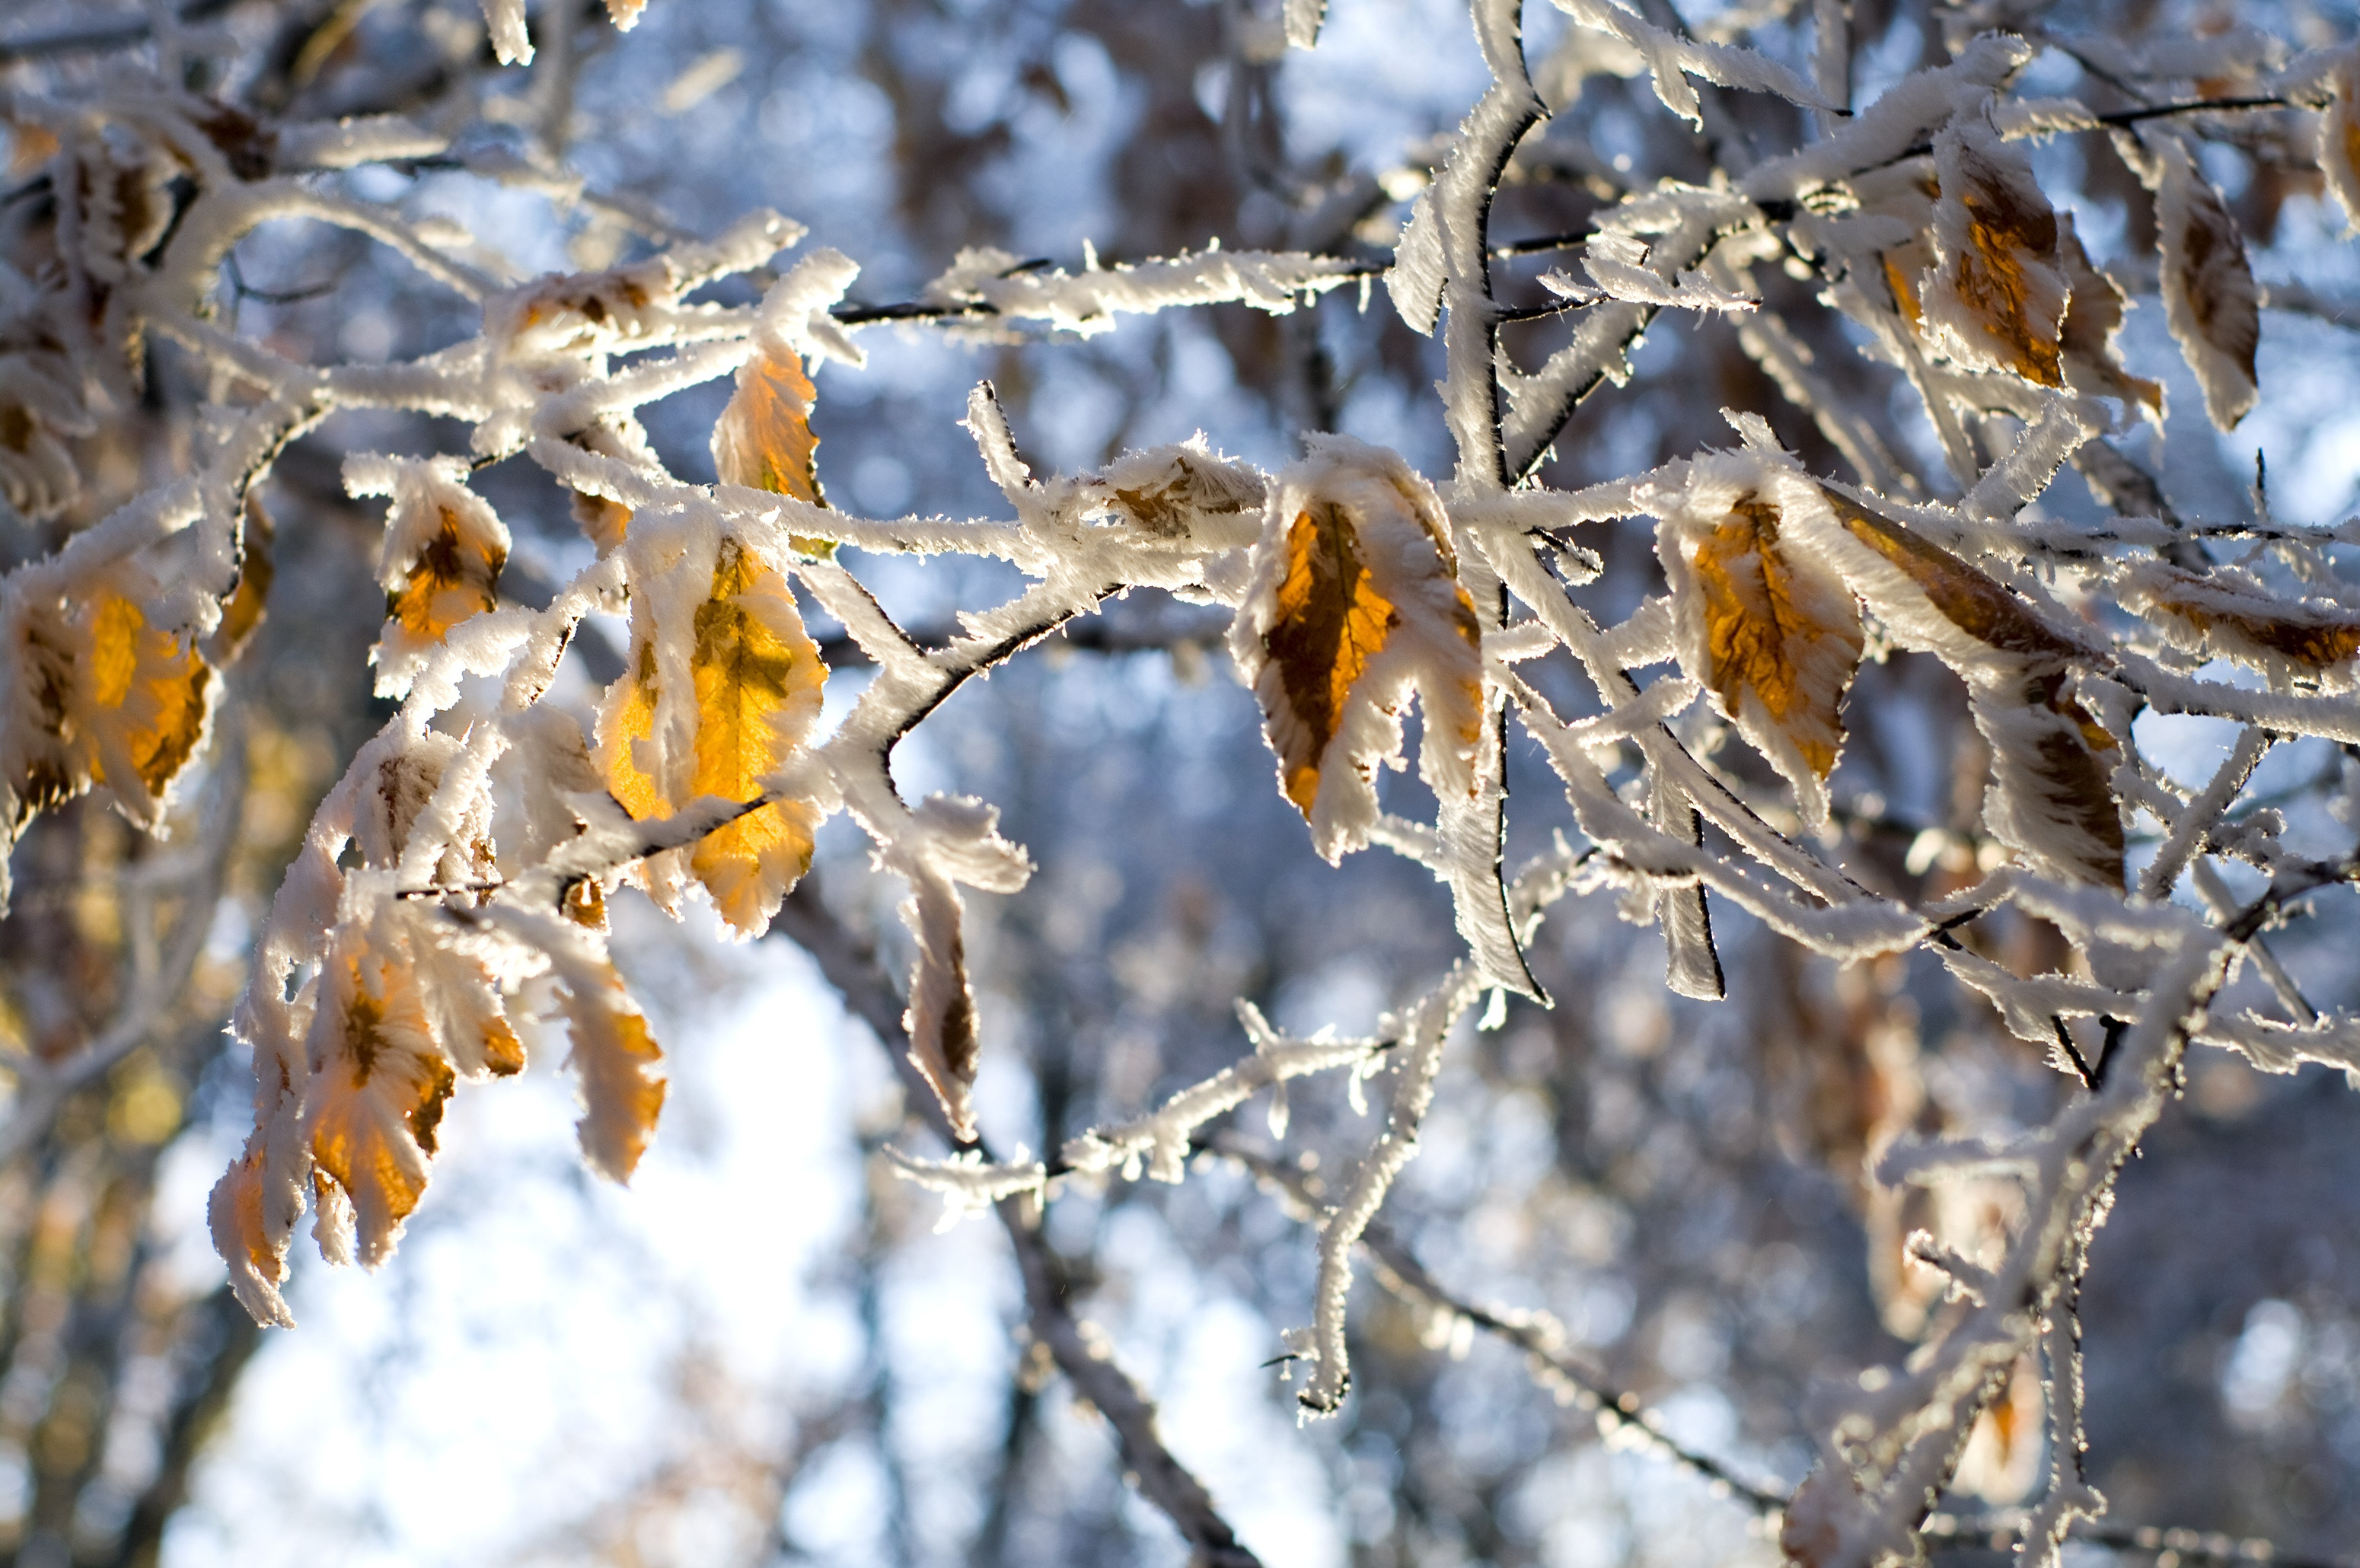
[754,692]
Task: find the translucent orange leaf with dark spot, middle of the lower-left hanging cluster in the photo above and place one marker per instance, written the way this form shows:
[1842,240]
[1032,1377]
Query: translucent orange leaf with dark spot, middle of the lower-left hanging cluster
[376,1093]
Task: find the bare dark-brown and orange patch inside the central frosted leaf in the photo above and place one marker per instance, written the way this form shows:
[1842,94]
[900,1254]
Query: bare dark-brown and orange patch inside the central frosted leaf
[1330,626]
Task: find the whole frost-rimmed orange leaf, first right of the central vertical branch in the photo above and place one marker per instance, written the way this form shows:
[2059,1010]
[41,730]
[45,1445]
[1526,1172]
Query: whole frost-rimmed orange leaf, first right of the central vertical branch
[1766,624]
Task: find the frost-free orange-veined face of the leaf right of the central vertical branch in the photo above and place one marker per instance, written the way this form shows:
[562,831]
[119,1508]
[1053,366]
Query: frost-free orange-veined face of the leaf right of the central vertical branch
[1783,640]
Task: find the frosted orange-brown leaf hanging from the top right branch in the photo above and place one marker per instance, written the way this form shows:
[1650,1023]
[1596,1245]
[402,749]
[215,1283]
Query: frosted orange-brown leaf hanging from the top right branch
[1995,296]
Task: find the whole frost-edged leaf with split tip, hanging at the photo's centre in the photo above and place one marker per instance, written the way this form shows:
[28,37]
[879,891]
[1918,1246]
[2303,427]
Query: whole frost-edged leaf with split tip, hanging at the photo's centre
[1356,602]
